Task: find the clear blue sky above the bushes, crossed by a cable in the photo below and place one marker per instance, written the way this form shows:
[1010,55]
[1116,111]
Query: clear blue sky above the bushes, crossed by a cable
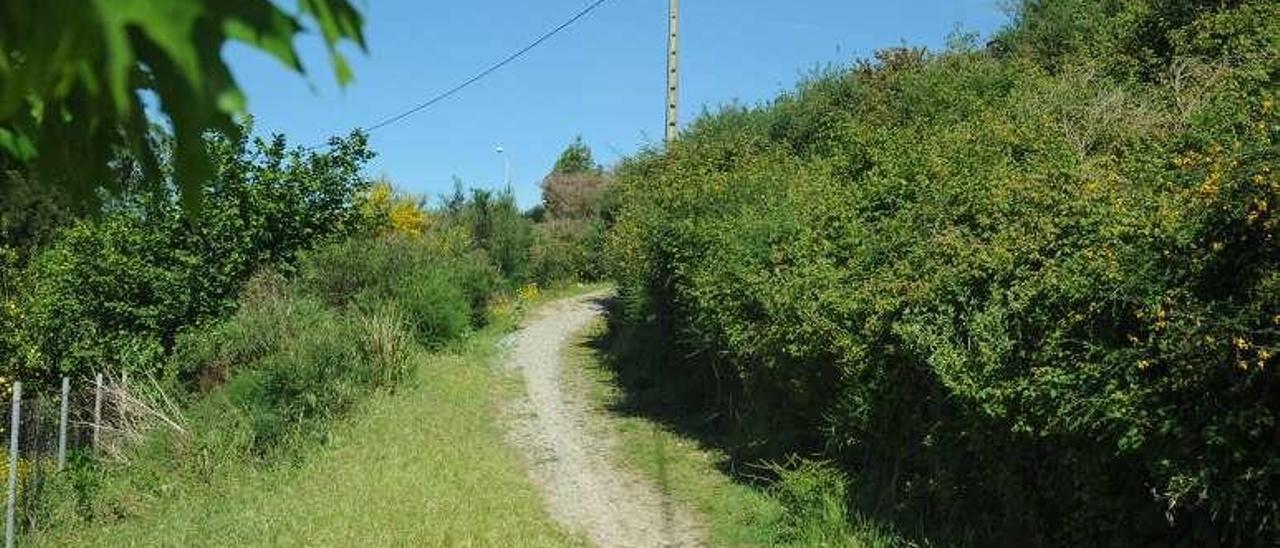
[602,80]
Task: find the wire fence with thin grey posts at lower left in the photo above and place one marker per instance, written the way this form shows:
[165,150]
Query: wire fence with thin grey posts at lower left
[47,428]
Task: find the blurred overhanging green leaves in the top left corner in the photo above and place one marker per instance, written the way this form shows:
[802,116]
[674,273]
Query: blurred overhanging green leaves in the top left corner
[74,76]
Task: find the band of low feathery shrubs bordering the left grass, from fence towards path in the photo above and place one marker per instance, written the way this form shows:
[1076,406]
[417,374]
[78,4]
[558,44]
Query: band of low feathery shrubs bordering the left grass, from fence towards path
[263,386]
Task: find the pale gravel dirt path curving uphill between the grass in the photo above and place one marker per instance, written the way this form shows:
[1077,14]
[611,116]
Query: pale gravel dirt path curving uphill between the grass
[570,458]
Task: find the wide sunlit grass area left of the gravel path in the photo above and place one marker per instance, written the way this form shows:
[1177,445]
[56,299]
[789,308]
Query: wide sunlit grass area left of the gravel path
[426,467]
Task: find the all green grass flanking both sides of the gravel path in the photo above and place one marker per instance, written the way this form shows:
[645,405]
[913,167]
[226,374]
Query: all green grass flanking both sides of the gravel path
[429,465]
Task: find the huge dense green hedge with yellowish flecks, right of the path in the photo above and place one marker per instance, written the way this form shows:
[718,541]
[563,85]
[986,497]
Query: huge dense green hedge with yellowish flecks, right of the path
[1026,295]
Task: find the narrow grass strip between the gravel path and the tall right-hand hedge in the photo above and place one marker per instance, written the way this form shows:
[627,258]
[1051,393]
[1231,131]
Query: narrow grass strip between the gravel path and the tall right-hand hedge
[801,504]
